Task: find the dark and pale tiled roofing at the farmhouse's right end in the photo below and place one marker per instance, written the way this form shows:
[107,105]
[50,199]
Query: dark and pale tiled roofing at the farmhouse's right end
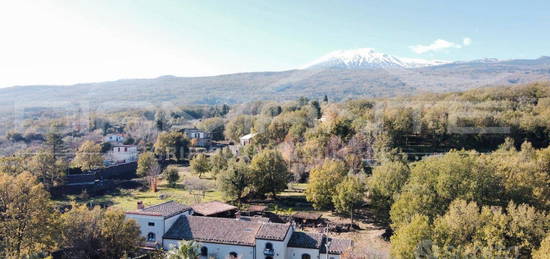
[318,241]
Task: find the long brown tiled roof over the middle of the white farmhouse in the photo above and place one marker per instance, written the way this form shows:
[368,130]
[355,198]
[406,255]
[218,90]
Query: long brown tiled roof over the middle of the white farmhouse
[224,230]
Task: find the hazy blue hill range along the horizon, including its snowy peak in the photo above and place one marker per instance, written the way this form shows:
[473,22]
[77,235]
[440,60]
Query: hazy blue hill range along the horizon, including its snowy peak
[340,75]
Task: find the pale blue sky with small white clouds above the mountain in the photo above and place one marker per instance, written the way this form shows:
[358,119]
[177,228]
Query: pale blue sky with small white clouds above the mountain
[70,41]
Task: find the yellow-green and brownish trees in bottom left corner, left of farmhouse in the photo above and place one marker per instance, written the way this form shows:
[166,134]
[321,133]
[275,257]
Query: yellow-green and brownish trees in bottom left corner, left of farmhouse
[31,226]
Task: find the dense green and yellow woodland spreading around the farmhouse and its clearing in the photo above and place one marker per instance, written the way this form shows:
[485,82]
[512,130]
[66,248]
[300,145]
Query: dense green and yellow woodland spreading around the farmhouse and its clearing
[462,174]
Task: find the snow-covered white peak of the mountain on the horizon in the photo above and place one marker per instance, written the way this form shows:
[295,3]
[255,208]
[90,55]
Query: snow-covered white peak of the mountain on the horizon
[366,58]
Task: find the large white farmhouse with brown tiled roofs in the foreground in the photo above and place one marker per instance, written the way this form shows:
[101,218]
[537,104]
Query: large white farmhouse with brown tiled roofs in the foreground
[167,224]
